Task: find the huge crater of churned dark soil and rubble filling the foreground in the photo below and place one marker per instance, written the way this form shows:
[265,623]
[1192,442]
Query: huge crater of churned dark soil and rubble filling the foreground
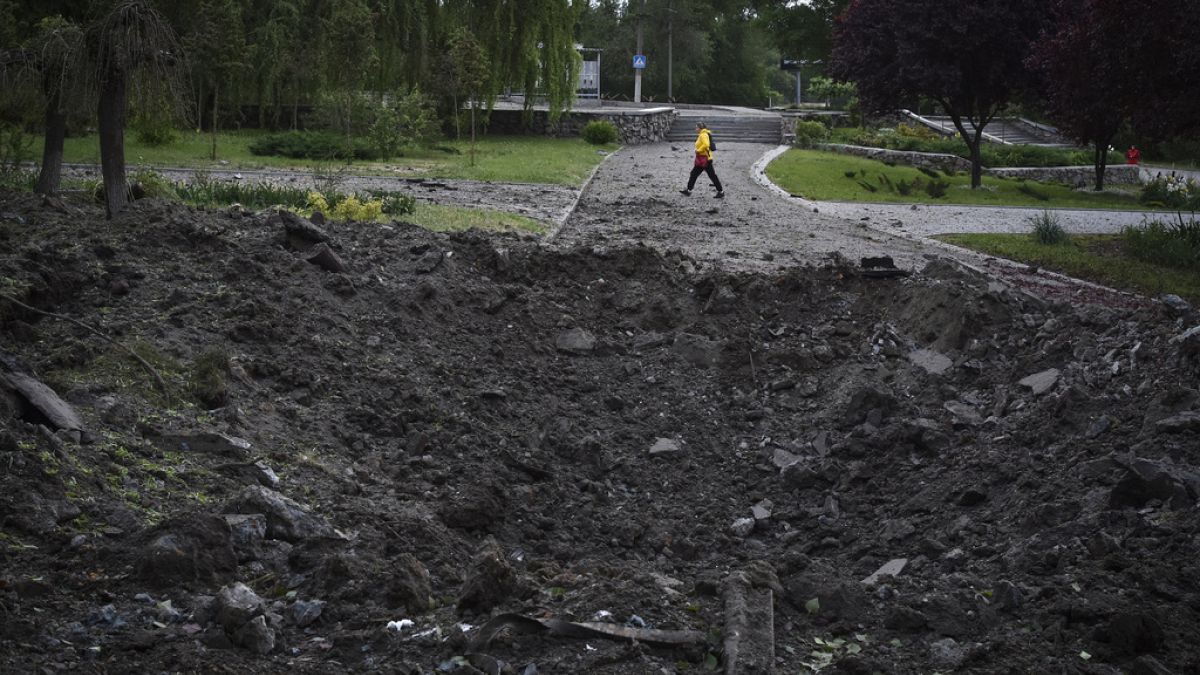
[380,449]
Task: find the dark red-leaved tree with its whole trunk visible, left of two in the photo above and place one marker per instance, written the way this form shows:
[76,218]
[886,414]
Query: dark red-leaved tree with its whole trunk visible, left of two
[969,57]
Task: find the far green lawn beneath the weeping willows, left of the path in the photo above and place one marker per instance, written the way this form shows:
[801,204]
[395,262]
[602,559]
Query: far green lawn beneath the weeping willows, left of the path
[507,159]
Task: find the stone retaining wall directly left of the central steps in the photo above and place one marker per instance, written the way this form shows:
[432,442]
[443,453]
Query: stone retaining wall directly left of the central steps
[634,127]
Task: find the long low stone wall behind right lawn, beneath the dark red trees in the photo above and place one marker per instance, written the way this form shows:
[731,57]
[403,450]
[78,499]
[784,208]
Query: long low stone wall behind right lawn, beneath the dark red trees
[1076,177]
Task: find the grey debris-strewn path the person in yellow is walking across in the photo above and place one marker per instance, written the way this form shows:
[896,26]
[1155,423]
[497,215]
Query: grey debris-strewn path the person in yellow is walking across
[635,198]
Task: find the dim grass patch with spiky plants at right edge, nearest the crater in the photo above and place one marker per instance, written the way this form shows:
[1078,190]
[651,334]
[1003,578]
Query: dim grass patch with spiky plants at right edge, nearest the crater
[1101,259]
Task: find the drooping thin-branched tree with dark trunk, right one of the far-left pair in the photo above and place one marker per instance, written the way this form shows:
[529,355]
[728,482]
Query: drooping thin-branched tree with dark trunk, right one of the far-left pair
[131,47]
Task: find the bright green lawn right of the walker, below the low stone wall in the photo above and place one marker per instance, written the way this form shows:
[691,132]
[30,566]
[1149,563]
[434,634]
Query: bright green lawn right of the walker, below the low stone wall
[820,176]
